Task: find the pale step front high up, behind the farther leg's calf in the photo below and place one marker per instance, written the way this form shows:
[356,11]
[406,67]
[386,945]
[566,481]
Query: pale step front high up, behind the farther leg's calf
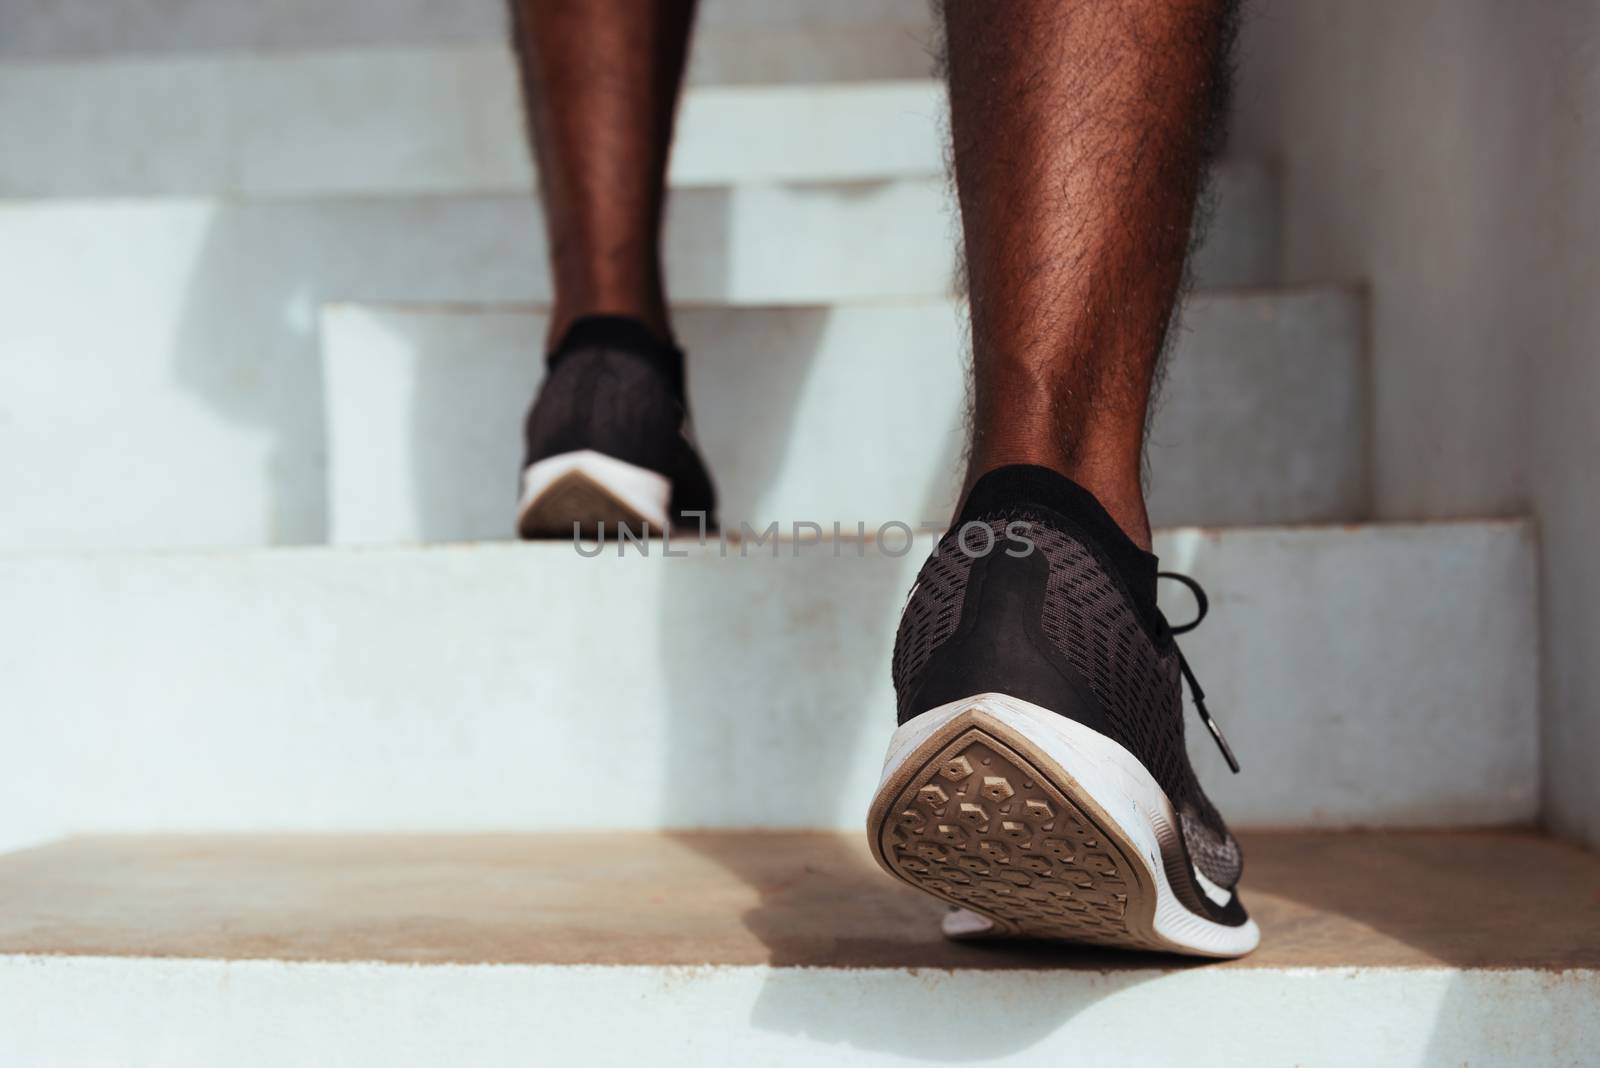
[431,121]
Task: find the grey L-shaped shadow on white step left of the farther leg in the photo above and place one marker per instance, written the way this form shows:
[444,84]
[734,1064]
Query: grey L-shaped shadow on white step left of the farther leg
[249,327]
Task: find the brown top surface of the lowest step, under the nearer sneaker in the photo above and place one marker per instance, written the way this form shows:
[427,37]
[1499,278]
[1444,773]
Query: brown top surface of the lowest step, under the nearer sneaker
[794,899]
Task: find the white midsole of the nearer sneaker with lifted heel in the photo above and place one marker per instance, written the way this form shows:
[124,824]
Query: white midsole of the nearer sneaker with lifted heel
[1119,784]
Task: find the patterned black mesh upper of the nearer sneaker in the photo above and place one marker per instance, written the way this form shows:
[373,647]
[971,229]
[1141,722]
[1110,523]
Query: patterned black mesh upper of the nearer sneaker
[1130,666]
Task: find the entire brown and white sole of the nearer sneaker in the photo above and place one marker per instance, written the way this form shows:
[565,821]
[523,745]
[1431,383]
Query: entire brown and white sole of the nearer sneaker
[1038,827]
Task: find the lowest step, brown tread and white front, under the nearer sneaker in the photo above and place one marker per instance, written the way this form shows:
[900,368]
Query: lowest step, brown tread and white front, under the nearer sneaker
[767,950]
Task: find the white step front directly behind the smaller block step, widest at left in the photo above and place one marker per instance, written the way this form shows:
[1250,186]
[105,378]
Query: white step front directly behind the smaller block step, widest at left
[206,429]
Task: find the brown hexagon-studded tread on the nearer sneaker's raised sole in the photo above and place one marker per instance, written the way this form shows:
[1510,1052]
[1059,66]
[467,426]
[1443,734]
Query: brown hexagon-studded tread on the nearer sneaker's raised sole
[980,827]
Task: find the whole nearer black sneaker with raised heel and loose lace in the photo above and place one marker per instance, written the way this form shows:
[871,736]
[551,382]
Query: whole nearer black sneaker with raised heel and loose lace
[1039,778]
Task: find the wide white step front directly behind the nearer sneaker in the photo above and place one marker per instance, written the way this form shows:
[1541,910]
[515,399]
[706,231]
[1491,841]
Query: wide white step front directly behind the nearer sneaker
[1367,675]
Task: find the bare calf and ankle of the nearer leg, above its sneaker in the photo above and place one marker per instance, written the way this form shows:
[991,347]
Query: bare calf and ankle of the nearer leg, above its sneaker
[1081,133]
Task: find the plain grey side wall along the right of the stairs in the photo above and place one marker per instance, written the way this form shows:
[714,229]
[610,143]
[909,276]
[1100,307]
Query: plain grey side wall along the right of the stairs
[1450,154]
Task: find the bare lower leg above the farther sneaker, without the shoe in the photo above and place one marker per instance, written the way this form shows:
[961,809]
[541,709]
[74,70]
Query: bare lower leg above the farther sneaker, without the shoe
[601,84]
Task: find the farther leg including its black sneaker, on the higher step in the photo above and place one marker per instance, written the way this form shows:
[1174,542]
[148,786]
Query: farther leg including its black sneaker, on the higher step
[604,440]
